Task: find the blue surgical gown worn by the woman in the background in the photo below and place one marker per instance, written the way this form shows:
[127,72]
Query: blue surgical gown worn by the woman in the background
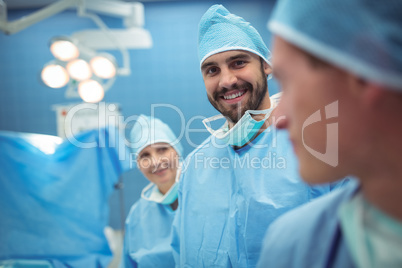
[148,236]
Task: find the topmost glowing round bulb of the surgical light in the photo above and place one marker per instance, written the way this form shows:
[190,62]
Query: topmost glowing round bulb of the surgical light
[64,49]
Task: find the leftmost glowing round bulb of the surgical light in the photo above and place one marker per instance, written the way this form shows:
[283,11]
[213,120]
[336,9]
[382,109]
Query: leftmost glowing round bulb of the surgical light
[55,76]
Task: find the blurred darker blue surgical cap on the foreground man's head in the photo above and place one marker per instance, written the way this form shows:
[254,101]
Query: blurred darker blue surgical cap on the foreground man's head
[363,37]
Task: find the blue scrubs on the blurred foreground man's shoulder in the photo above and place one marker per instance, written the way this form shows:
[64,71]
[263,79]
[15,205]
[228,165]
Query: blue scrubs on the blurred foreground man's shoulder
[309,236]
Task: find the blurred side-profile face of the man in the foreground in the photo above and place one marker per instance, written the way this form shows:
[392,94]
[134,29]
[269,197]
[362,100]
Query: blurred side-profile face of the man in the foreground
[308,88]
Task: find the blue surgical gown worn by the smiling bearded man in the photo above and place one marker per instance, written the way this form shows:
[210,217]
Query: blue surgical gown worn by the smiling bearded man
[229,197]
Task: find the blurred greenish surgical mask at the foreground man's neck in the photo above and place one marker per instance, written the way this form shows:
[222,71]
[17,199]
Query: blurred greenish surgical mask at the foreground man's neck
[373,238]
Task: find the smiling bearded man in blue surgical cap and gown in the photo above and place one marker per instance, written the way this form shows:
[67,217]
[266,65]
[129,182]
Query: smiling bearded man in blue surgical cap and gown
[245,174]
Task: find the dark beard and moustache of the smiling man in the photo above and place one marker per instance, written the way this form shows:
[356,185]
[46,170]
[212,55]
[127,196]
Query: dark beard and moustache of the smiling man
[237,111]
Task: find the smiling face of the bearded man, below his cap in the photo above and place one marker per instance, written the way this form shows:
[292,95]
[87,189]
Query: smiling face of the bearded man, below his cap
[236,81]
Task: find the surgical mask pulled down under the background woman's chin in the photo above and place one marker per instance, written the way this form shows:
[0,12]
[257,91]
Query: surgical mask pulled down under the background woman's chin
[156,196]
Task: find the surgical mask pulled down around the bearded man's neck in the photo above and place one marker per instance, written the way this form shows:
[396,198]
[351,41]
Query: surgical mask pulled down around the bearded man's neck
[243,131]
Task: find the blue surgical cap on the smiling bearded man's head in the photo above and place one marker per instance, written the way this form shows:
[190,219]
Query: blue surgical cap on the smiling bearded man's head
[220,31]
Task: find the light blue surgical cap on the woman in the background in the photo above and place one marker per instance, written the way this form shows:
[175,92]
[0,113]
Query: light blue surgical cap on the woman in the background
[148,130]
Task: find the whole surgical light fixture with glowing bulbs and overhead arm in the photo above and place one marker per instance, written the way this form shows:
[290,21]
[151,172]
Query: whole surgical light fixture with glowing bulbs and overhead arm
[86,72]
